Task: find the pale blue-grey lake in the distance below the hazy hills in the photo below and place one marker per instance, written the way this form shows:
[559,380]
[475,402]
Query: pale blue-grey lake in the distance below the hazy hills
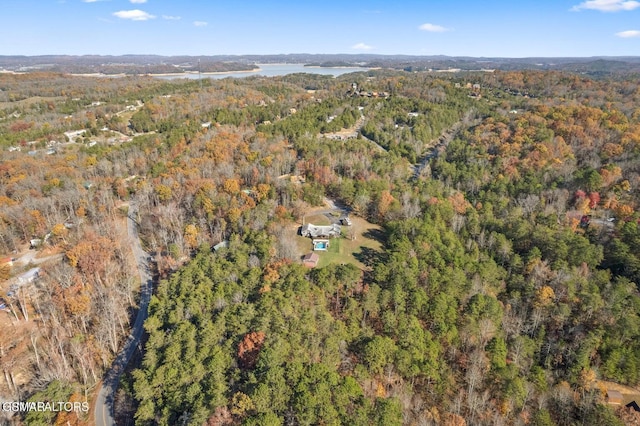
[271,70]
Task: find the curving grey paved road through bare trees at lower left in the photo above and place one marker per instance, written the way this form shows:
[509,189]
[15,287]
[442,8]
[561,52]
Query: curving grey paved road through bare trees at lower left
[105,400]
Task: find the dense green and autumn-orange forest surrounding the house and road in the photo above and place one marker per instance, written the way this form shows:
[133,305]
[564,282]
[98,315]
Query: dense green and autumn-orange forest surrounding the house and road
[503,289]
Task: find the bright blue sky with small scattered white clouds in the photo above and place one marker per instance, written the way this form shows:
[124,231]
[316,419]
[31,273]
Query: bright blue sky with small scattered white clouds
[477,28]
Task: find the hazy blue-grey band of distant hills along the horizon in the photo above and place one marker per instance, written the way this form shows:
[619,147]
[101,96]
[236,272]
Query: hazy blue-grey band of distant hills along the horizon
[154,64]
